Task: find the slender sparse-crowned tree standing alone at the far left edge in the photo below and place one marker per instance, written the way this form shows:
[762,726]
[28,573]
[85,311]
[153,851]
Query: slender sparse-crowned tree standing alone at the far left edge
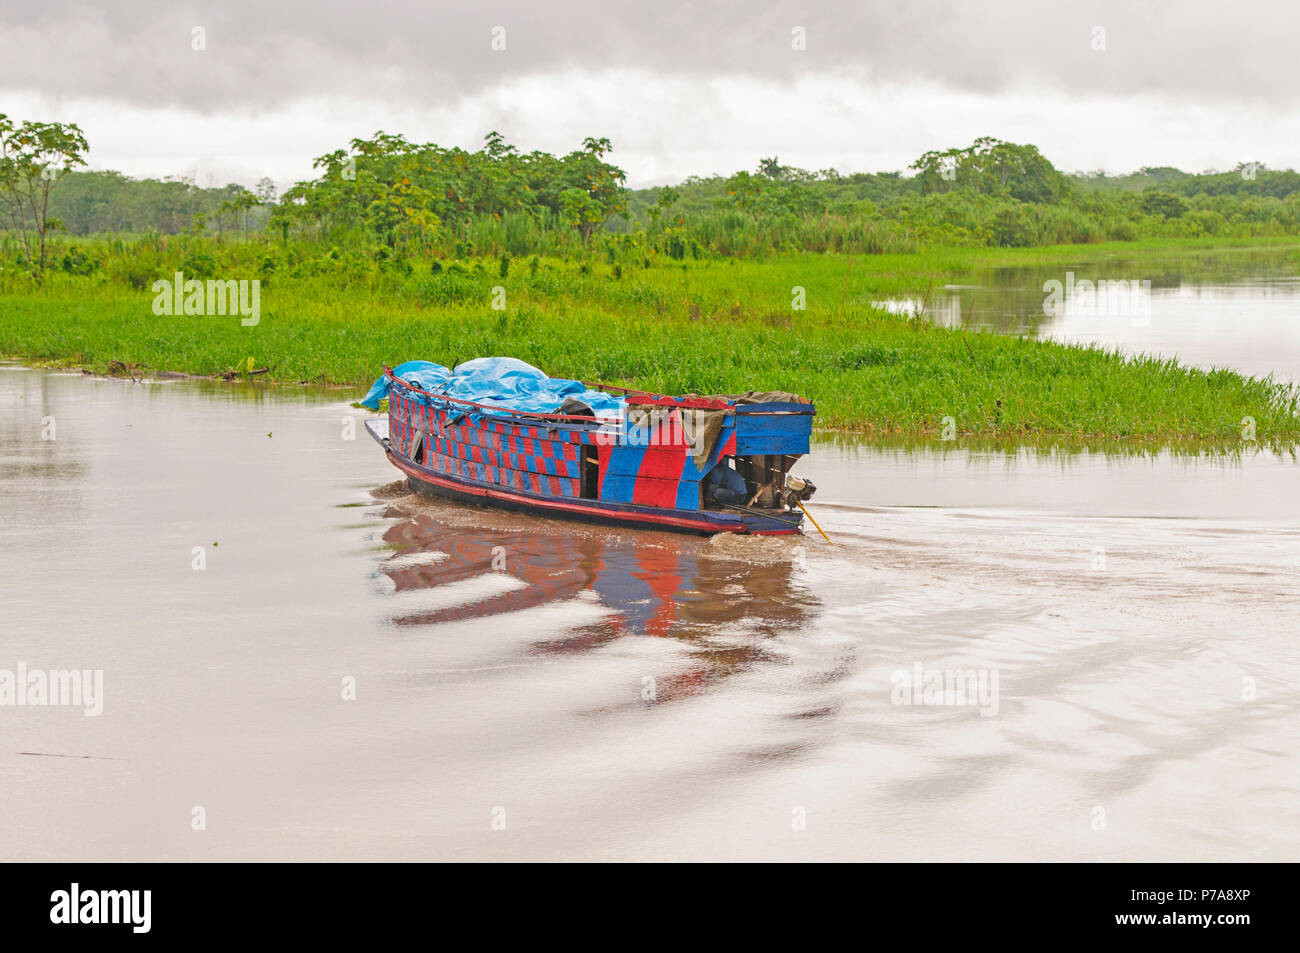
[32,158]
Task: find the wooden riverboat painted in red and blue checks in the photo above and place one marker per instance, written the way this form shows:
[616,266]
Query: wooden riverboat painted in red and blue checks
[649,469]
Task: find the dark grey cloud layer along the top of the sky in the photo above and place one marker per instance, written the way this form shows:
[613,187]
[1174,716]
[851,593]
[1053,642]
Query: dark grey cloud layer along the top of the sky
[262,54]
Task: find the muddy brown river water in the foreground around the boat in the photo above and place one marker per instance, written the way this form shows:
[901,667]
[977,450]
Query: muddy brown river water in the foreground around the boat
[1002,656]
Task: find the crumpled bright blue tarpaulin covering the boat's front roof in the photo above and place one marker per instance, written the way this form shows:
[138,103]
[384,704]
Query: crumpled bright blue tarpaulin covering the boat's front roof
[499,383]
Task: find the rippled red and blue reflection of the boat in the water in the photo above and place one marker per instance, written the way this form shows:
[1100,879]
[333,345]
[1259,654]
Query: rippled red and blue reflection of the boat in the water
[720,597]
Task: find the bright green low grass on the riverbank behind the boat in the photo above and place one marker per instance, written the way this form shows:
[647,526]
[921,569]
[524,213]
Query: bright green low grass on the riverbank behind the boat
[695,327]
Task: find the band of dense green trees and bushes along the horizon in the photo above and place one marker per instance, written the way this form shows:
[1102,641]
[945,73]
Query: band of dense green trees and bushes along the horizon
[392,201]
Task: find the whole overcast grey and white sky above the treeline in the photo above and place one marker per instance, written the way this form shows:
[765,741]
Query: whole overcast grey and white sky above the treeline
[681,88]
